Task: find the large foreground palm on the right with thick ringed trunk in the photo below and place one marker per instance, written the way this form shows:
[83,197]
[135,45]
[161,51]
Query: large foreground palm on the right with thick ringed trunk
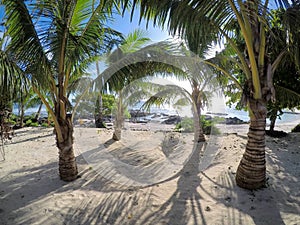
[195,19]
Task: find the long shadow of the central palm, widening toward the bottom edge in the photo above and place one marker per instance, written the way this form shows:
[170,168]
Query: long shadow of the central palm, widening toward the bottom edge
[173,211]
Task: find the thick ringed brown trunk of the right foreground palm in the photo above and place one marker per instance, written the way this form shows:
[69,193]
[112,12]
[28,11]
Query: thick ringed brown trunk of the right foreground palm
[251,172]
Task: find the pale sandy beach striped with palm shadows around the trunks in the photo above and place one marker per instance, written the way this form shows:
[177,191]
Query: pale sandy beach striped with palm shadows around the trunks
[150,177]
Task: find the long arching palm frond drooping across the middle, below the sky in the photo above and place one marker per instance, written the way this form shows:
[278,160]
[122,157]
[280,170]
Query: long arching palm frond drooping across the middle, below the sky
[163,58]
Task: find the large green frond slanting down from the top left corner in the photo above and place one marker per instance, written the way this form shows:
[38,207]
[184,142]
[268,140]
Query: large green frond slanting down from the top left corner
[25,42]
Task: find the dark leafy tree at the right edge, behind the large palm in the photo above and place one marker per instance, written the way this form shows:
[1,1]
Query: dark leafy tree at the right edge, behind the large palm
[286,80]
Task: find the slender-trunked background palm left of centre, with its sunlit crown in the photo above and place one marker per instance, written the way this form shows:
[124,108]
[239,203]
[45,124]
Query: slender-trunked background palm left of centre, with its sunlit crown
[133,60]
